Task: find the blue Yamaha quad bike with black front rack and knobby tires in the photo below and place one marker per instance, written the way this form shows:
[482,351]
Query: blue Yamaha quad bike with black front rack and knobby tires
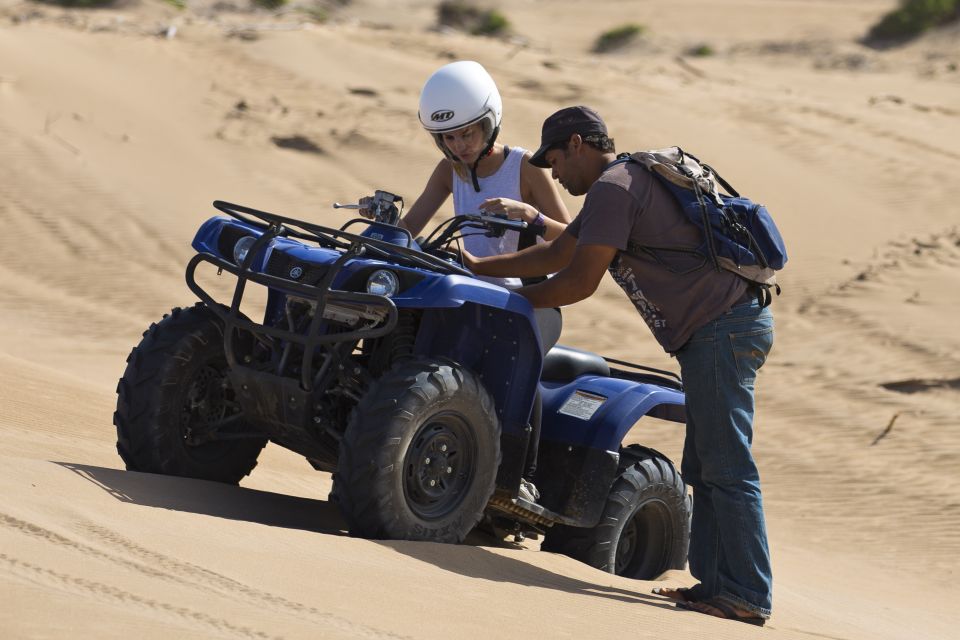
[383,361]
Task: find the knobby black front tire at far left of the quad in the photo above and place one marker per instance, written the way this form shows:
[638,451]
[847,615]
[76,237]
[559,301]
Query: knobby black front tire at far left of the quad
[174,387]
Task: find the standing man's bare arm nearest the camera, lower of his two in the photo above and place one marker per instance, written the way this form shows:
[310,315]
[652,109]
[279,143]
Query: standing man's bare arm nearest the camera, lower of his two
[576,281]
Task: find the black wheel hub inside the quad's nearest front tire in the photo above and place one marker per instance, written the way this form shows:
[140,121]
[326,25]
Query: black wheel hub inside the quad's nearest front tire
[439,466]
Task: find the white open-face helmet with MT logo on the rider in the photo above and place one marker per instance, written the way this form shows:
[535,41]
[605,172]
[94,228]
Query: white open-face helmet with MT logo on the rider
[457,95]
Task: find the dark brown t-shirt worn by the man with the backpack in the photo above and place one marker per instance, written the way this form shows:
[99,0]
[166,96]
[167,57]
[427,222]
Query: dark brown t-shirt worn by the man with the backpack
[676,293]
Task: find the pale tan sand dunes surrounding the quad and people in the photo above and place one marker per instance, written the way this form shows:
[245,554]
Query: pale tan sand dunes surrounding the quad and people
[115,138]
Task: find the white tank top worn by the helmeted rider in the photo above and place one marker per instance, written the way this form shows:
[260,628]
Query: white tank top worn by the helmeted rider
[505,183]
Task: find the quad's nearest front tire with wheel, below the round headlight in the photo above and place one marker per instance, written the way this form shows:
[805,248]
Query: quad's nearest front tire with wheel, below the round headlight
[420,455]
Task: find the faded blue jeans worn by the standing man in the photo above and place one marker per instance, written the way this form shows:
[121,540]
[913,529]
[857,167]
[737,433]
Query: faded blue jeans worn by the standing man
[728,553]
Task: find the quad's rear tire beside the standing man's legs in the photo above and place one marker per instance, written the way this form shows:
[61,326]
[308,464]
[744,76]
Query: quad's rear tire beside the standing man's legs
[645,526]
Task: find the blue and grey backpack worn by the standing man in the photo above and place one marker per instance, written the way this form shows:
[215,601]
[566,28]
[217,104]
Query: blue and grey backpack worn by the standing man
[742,236]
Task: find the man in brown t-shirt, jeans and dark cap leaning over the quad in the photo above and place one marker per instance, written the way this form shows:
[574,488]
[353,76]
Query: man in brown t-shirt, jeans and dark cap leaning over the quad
[702,315]
